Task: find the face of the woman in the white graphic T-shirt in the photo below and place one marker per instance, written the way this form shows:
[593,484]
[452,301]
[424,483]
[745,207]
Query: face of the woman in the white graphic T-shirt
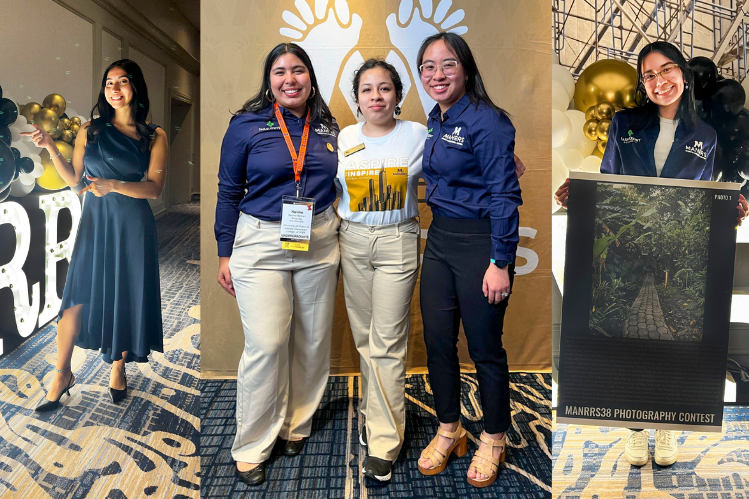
[376,96]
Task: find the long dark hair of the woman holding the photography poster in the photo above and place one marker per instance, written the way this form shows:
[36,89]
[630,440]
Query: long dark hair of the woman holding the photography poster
[687,111]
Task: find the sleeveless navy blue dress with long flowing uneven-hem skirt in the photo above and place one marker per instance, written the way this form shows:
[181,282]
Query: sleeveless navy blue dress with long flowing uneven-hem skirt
[114,268]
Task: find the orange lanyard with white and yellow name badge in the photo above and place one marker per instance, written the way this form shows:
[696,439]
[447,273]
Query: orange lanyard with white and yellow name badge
[297,212]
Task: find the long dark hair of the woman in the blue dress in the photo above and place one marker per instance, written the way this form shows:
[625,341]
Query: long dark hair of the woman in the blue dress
[139,106]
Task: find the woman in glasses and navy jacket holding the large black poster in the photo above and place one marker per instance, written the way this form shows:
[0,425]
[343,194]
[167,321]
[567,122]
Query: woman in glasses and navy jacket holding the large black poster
[662,137]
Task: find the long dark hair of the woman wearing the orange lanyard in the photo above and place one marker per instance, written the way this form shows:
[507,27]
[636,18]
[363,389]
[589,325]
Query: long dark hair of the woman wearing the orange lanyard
[318,109]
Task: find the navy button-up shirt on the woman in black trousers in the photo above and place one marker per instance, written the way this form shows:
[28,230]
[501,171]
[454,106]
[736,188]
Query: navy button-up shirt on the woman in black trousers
[470,170]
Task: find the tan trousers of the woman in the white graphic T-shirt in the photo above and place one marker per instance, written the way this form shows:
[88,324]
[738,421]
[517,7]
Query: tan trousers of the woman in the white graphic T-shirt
[379,266]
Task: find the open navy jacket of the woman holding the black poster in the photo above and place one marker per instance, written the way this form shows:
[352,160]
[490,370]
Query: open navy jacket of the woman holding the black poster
[630,149]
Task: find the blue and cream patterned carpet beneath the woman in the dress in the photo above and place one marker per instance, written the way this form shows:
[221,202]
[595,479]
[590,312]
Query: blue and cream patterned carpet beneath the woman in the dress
[145,447]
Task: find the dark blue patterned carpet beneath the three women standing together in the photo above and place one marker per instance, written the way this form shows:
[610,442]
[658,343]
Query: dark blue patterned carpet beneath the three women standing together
[330,465]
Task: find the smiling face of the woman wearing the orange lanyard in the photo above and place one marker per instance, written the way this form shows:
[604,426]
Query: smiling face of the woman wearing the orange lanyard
[290,83]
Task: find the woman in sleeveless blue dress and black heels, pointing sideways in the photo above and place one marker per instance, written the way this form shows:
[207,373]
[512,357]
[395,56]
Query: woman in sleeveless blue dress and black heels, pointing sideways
[112,299]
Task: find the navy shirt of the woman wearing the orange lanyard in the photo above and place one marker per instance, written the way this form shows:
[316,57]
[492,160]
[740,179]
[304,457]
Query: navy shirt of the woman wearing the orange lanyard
[256,170]
